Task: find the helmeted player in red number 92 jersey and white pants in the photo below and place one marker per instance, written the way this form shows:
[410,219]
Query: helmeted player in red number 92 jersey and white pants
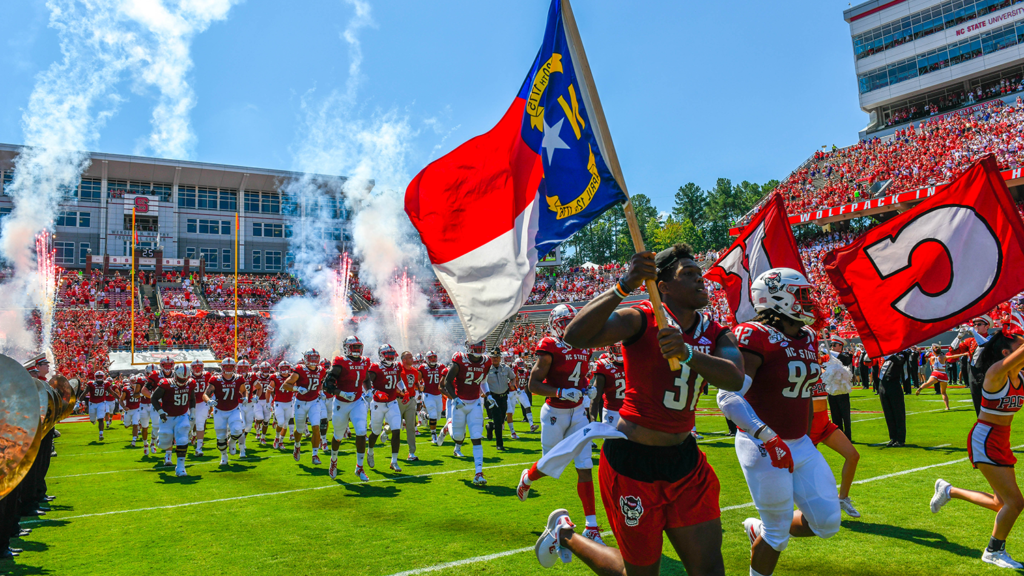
[773,412]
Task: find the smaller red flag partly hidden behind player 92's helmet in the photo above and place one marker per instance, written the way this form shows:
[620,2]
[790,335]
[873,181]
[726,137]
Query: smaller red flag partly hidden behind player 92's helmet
[765,243]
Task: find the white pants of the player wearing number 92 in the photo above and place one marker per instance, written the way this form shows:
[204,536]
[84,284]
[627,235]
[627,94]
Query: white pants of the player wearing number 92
[812,487]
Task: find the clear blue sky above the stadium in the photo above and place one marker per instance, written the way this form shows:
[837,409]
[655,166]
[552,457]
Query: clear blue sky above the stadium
[693,92]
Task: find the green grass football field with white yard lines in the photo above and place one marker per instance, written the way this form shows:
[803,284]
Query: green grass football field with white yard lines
[120,514]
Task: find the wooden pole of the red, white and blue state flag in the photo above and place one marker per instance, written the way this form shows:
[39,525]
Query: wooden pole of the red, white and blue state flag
[598,116]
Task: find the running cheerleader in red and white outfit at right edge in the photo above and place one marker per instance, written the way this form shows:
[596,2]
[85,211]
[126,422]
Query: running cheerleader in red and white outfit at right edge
[1002,362]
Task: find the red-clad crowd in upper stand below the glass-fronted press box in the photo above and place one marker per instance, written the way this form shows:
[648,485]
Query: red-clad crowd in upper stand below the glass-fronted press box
[915,157]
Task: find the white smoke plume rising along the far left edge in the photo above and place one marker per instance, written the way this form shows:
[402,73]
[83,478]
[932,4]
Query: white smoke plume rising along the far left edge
[71,103]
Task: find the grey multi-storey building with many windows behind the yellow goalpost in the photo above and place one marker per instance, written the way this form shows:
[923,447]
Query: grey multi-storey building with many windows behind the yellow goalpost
[185,215]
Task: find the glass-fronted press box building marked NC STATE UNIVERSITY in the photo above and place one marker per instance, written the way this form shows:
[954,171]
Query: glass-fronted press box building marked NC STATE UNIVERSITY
[921,59]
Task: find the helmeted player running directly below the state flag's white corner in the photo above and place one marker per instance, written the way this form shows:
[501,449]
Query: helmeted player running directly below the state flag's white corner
[465,384]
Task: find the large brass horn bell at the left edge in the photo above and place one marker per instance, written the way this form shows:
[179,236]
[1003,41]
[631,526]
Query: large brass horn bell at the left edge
[29,410]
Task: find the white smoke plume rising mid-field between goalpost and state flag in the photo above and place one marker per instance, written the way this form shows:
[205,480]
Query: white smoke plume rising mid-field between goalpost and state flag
[371,153]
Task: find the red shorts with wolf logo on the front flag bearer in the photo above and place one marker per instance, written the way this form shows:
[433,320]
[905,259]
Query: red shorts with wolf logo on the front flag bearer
[641,512]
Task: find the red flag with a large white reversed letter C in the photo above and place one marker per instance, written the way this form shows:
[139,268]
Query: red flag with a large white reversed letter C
[954,257]
